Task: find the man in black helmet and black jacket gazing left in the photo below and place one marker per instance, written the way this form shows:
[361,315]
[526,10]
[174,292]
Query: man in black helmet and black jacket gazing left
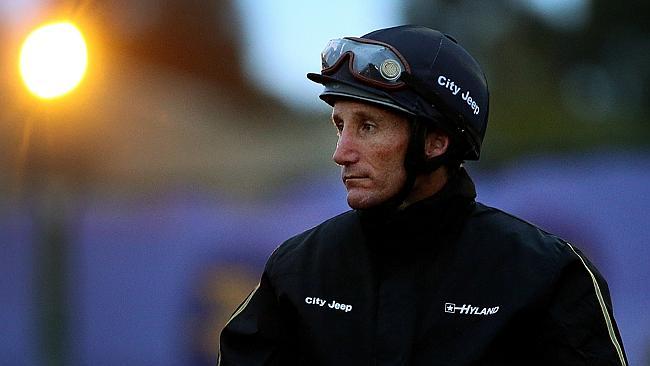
[418,272]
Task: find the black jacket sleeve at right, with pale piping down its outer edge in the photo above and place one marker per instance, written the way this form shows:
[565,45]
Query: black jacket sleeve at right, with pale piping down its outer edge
[579,327]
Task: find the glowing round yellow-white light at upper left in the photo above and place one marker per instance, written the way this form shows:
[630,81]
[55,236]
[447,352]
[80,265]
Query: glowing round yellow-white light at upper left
[53,60]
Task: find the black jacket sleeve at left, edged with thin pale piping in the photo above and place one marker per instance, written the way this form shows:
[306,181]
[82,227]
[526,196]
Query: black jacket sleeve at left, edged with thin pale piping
[256,332]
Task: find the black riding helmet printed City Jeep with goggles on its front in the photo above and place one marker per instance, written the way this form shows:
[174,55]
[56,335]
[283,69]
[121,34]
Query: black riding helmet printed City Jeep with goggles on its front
[416,70]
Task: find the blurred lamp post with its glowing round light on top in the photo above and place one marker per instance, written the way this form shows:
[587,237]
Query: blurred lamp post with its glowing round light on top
[53,61]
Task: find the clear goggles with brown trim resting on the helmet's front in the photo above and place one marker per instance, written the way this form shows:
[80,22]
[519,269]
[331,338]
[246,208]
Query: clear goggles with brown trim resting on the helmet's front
[370,61]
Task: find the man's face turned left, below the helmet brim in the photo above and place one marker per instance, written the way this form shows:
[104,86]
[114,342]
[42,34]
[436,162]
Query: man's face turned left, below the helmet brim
[371,148]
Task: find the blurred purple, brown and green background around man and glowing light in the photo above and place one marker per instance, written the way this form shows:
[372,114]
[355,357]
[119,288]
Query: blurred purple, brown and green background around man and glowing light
[137,211]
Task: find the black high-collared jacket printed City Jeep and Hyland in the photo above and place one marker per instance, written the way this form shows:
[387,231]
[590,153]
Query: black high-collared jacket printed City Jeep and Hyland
[448,281]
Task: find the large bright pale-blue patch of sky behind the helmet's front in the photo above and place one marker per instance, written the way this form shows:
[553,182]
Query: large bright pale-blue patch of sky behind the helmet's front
[284,38]
